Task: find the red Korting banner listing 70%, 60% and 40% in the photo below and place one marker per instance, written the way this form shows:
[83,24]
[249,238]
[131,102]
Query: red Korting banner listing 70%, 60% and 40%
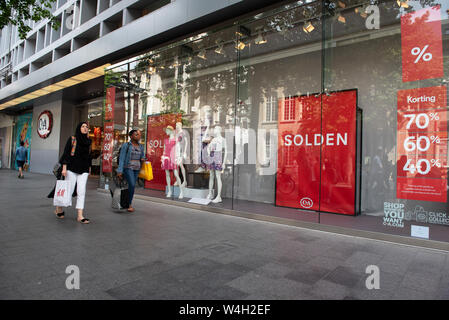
[422,144]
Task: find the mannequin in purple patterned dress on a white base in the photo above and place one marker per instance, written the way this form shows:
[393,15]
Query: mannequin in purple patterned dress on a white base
[216,162]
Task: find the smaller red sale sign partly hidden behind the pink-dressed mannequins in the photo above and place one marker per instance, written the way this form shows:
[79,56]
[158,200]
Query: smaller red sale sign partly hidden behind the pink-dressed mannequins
[155,147]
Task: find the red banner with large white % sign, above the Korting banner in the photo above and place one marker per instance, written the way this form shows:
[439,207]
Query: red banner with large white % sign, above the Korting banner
[422,45]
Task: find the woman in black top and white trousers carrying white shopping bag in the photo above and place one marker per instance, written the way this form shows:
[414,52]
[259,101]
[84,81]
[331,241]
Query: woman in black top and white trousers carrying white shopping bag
[76,166]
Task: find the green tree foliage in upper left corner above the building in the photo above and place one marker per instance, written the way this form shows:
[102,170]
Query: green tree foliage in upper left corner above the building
[17,12]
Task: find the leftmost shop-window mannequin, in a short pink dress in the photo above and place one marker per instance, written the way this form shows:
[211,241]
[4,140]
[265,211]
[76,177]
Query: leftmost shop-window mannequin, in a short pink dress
[168,161]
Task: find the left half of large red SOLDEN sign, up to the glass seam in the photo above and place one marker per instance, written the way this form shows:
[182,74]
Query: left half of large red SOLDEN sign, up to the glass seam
[298,174]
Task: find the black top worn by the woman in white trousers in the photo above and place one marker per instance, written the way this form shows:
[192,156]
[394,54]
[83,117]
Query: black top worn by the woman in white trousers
[81,161]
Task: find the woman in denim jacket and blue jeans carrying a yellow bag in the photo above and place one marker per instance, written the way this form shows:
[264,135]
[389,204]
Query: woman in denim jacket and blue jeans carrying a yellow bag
[131,157]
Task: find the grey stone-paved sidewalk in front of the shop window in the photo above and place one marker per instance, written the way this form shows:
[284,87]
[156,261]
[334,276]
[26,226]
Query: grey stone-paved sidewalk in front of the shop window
[165,252]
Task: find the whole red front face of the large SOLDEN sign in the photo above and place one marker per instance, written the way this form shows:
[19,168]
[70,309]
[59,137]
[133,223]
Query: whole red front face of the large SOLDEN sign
[317,152]
